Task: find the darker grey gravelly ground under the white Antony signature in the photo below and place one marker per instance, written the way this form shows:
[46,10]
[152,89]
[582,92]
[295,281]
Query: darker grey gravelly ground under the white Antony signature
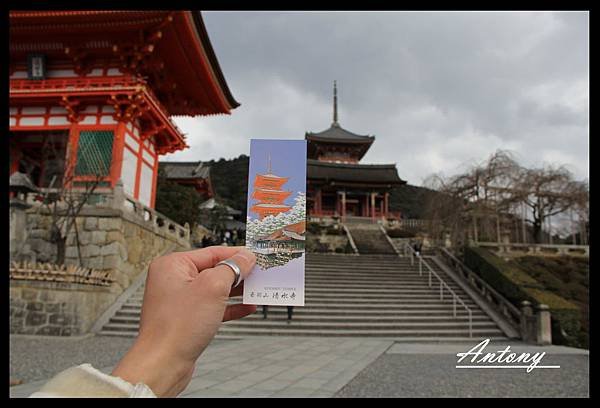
[429,371]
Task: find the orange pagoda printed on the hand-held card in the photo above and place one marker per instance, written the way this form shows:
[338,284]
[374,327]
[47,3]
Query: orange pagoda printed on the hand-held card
[267,190]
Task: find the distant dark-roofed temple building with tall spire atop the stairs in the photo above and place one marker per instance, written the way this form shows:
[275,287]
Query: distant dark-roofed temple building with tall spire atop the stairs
[338,185]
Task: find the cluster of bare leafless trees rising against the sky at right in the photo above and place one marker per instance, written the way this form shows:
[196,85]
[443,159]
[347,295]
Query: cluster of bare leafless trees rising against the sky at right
[484,199]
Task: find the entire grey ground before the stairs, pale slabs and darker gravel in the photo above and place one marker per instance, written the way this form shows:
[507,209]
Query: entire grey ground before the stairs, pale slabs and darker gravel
[344,367]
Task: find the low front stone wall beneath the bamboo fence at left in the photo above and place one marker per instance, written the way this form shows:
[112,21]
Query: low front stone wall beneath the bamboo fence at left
[56,308]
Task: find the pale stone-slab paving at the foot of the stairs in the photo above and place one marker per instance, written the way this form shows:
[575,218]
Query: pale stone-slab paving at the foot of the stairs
[271,366]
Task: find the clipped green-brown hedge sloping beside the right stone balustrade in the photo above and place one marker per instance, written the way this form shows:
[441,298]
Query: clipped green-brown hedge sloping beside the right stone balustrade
[516,285]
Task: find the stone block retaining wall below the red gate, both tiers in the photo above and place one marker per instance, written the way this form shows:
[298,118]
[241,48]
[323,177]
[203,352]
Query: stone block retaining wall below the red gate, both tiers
[116,234]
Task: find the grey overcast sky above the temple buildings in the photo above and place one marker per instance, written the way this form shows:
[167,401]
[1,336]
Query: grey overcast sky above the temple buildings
[438,90]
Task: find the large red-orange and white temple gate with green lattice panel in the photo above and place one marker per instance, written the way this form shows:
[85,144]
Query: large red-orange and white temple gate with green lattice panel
[92,94]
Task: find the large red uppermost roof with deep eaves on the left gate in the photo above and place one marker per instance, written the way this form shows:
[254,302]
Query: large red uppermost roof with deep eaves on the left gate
[173,49]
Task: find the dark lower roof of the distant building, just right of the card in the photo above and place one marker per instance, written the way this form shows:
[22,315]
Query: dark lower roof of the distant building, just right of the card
[356,173]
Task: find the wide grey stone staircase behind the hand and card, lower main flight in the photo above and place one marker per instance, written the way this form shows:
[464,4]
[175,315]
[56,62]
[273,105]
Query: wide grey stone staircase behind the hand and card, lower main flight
[353,296]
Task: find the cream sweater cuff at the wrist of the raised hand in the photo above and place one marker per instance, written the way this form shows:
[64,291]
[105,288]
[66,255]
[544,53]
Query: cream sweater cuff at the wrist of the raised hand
[86,381]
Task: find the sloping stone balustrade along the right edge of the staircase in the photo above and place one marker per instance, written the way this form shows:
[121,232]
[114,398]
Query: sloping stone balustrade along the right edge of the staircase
[506,307]
